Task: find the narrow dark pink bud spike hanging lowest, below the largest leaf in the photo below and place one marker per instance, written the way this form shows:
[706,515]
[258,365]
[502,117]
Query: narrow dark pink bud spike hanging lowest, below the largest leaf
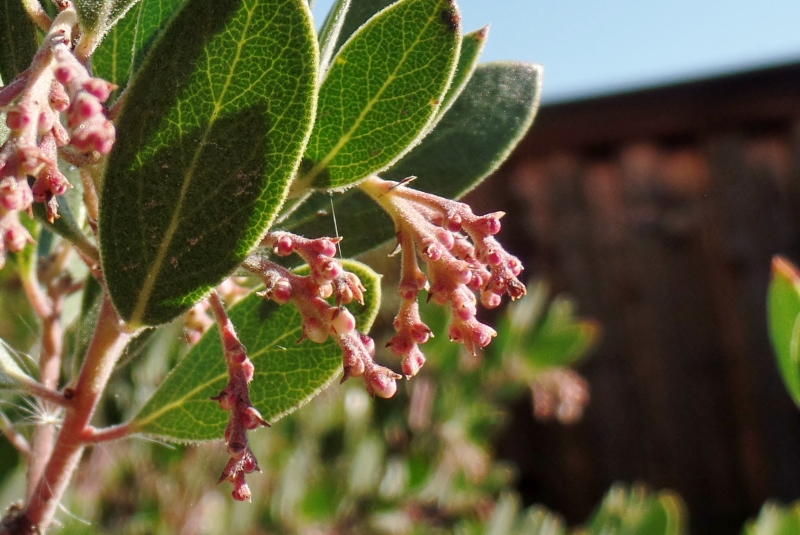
[235,398]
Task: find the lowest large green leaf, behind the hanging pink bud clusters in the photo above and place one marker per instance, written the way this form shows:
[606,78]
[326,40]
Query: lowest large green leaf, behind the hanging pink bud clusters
[288,374]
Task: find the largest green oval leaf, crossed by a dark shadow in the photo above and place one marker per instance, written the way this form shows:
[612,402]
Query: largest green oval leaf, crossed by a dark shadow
[210,135]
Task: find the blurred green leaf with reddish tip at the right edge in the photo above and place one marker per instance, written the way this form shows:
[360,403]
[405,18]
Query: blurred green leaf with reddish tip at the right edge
[783,312]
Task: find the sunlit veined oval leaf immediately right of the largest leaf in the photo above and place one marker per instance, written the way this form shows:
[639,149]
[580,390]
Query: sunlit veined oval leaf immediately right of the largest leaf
[381,92]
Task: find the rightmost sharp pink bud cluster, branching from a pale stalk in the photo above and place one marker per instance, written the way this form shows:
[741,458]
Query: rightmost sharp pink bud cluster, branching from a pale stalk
[462,258]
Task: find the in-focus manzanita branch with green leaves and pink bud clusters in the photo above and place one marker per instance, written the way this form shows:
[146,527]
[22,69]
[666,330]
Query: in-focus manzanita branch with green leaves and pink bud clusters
[190,154]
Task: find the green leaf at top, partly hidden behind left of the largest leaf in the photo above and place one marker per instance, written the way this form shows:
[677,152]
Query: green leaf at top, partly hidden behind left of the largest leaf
[125,47]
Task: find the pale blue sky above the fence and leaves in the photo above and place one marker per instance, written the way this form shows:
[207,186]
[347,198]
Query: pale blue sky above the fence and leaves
[591,47]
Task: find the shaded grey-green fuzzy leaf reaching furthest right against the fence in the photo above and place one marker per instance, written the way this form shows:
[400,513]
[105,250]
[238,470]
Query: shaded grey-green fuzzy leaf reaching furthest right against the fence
[474,137]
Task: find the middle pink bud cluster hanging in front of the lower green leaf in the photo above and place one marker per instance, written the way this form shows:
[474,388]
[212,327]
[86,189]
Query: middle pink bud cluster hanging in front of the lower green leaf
[309,294]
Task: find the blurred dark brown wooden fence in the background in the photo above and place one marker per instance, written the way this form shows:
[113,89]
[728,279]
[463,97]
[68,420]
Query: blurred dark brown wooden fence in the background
[659,211]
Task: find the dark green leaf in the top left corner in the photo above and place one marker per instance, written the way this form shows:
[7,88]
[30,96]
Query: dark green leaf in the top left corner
[19,39]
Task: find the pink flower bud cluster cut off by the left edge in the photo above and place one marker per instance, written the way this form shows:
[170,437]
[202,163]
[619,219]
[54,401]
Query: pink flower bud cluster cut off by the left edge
[56,82]
